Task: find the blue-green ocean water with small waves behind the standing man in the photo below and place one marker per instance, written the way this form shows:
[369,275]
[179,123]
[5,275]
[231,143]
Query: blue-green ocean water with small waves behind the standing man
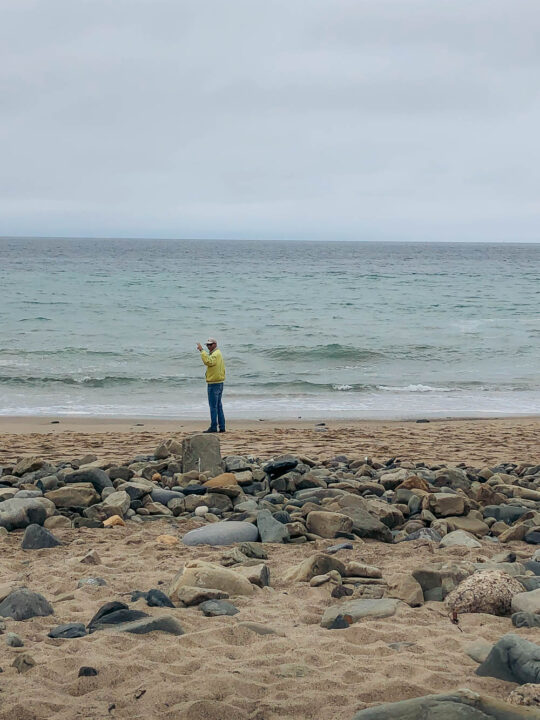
[308,329]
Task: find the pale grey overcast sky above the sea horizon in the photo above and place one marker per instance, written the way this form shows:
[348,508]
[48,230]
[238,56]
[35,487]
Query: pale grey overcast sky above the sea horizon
[271,119]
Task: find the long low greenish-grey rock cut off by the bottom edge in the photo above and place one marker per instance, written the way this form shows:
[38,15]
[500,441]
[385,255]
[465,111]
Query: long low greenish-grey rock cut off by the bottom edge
[459,705]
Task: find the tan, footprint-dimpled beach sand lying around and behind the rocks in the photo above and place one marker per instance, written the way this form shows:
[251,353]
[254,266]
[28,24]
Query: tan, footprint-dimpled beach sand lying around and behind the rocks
[220,670]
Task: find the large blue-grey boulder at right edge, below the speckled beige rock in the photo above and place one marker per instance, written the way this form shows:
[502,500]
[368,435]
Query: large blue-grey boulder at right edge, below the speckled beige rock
[513,659]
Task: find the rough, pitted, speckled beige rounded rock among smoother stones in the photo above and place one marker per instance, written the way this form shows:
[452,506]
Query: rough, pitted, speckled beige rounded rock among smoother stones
[488,591]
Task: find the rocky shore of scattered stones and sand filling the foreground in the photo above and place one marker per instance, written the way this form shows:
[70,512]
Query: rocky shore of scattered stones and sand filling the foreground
[347,544]
